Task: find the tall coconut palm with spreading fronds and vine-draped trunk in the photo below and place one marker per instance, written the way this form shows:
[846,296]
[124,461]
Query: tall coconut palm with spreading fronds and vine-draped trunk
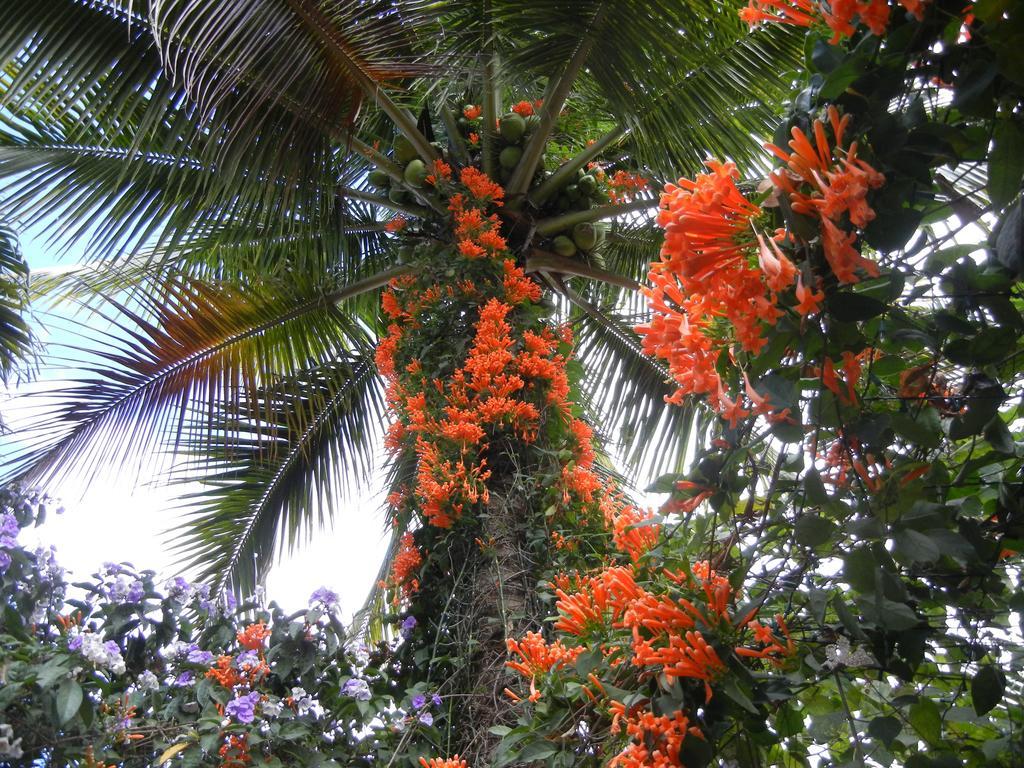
[214,159]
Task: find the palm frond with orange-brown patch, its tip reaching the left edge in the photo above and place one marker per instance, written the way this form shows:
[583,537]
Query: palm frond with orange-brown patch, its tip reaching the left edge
[184,348]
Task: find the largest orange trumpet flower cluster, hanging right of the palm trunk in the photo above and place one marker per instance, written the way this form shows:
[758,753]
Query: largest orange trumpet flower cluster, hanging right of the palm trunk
[705,277]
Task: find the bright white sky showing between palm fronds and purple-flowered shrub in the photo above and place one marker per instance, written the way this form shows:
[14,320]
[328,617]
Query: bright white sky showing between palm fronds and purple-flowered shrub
[121,519]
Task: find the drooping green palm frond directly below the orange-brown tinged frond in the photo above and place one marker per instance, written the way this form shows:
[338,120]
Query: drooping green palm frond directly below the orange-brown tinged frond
[273,480]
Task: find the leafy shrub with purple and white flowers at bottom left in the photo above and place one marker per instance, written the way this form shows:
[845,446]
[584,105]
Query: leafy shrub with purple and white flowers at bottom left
[120,671]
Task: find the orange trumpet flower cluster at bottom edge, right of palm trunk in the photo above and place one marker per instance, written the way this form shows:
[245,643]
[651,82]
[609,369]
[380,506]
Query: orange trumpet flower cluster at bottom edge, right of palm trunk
[657,741]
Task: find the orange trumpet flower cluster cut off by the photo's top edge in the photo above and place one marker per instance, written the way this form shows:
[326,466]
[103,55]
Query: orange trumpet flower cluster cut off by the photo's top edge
[839,15]
